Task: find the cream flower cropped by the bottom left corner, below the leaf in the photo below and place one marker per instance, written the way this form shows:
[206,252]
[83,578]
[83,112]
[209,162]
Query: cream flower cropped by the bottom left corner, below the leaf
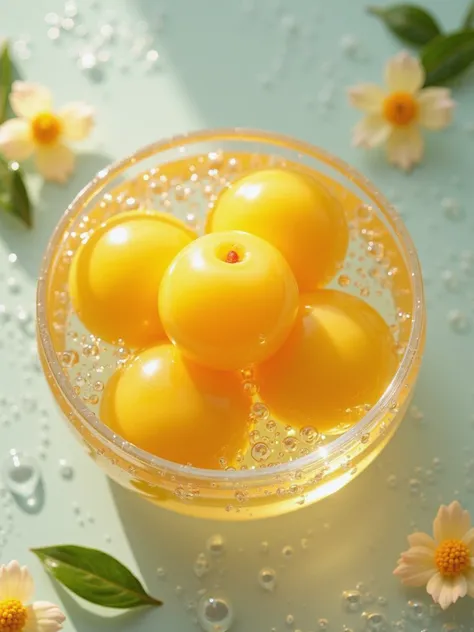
[16,590]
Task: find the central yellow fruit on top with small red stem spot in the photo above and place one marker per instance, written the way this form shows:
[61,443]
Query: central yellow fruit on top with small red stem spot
[228,300]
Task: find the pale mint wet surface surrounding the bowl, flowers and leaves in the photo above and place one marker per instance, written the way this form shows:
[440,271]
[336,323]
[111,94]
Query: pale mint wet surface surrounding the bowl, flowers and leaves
[236,63]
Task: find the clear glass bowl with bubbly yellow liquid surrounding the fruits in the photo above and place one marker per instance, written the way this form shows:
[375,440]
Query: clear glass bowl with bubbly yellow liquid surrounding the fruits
[382,266]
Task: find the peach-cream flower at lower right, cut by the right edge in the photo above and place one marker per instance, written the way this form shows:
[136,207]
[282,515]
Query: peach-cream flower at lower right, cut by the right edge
[446,563]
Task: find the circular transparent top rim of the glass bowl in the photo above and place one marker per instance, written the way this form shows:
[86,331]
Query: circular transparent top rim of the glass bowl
[258,475]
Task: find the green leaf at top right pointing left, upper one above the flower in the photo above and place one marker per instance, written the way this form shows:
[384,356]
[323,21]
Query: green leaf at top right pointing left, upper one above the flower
[408,22]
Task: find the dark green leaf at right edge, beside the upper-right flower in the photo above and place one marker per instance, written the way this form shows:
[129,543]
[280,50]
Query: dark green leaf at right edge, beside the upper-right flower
[447,56]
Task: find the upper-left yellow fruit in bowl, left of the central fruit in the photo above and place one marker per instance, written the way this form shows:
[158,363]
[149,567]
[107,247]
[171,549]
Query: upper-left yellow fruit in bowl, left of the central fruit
[115,276]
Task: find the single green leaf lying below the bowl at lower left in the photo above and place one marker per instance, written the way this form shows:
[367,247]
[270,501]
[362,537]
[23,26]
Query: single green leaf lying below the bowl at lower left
[95,576]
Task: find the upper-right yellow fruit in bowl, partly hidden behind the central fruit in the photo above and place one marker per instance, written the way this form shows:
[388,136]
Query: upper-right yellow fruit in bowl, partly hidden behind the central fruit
[295,213]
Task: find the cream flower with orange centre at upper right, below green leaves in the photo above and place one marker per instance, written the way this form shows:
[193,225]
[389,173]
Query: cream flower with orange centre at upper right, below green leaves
[395,114]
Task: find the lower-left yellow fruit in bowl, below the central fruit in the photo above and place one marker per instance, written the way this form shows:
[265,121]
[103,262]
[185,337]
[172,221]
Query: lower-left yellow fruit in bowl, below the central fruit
[177,410]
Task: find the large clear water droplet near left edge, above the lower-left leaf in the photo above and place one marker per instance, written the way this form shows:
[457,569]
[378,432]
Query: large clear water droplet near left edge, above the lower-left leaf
[22,477]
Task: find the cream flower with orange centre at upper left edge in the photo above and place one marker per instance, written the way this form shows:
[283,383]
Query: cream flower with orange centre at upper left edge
[40,131]
